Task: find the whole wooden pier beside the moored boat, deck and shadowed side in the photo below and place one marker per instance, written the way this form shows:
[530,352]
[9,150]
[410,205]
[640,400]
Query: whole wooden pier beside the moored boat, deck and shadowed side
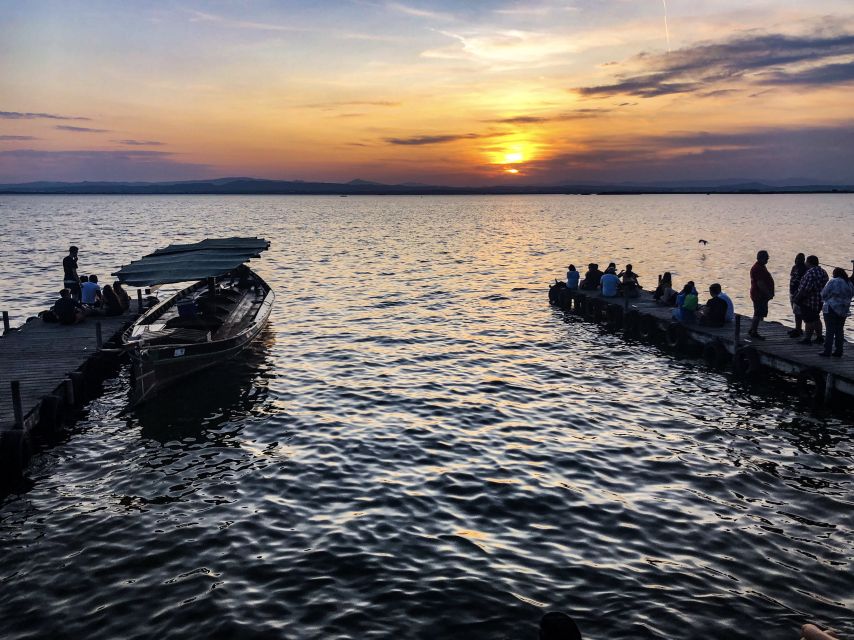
[44,371]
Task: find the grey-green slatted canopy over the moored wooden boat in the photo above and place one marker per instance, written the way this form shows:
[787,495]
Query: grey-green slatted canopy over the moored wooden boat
[185,262]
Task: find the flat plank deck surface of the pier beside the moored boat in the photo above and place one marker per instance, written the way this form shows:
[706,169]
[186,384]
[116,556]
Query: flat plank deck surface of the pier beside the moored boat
[41,356]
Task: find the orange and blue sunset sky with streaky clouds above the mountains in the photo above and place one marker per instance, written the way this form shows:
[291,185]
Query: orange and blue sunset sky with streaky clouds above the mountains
[470,92]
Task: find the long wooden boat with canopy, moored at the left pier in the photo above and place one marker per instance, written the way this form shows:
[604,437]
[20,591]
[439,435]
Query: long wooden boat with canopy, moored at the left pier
[204,323]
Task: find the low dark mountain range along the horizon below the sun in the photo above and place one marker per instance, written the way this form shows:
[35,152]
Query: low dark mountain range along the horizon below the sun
[254,186]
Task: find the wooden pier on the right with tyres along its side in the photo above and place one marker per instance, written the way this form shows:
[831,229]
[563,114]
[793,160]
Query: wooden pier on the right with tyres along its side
[820,379]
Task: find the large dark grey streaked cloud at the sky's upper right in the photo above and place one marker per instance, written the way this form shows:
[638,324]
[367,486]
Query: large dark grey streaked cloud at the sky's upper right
[756,58]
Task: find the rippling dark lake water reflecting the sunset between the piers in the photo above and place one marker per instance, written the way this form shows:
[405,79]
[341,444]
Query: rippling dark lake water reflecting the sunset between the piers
[420,447]
